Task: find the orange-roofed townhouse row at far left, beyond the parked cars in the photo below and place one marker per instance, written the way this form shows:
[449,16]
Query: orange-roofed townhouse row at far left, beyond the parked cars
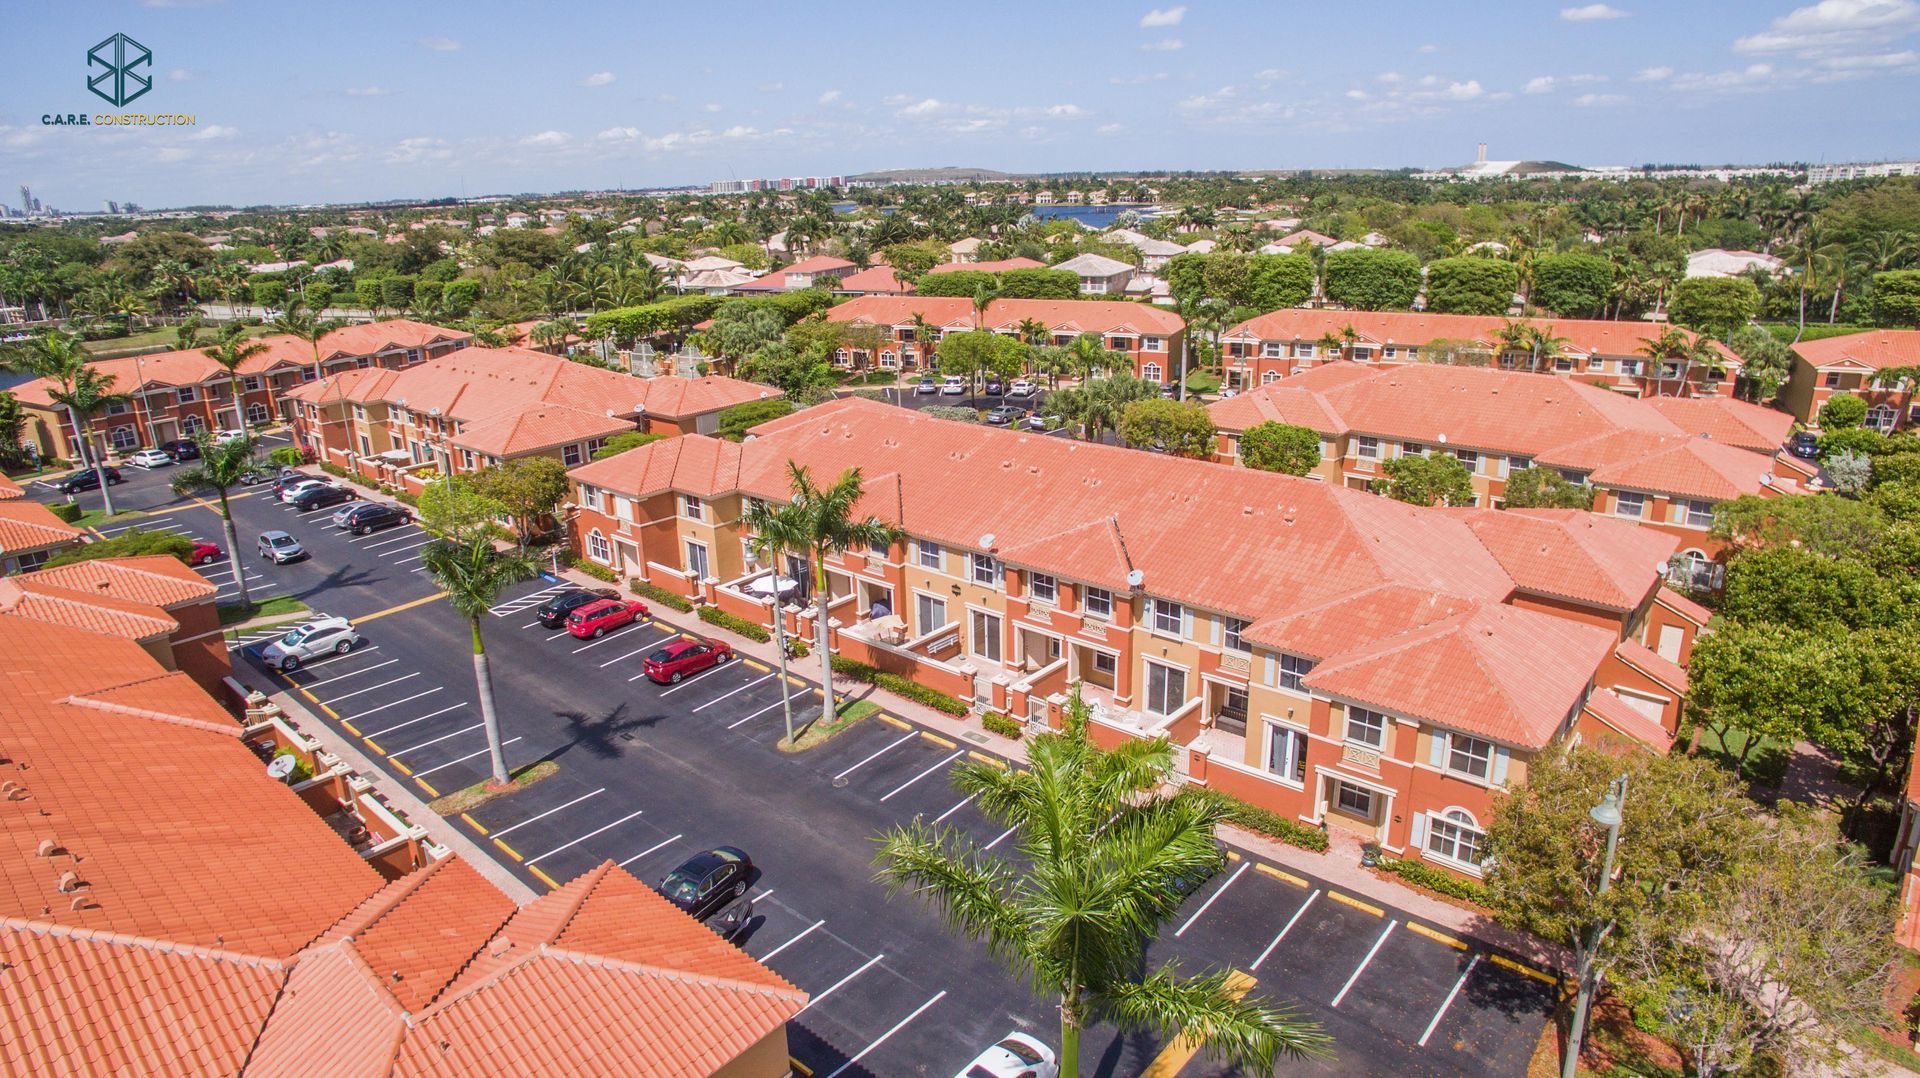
[178,395]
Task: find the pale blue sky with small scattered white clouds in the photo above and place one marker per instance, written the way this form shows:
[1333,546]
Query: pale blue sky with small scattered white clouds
[418,99]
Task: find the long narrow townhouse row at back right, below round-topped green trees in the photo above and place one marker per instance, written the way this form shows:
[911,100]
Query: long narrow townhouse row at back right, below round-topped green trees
[1598,353]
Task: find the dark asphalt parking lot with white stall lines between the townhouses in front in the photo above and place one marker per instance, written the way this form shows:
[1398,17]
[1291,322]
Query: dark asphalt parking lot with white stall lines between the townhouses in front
[652,775]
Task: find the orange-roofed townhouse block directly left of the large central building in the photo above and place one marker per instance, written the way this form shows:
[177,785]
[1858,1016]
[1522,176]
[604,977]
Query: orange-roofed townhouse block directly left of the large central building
[483,406]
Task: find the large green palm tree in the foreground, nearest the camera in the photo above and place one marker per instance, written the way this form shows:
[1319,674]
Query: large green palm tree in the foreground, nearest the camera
[1105,860]
